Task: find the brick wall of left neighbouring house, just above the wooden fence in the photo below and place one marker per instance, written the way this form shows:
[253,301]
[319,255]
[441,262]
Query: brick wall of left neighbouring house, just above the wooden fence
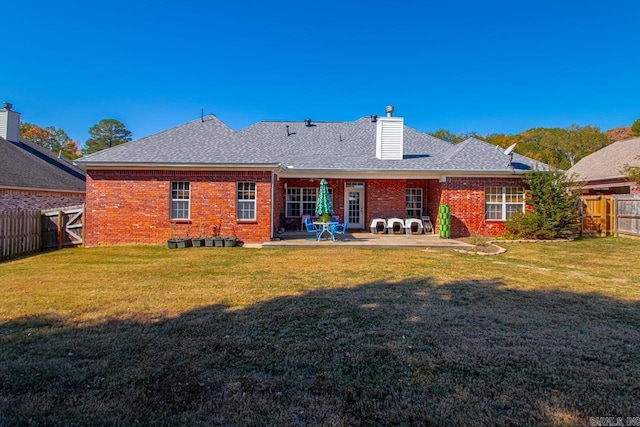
[37,200]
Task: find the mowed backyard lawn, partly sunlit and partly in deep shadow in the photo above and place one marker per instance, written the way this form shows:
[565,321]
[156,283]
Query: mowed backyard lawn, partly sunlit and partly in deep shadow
[545,334]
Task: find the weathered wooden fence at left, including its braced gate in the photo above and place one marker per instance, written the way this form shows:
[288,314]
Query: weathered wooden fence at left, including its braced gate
[26,232]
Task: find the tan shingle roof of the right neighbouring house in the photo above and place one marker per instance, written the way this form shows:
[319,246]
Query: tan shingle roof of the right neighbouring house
[608,162]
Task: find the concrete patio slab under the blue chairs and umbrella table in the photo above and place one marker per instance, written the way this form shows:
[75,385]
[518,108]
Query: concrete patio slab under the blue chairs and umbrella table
[363,238]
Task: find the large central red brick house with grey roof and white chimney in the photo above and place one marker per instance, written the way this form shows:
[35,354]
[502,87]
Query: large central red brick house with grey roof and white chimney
[202,178]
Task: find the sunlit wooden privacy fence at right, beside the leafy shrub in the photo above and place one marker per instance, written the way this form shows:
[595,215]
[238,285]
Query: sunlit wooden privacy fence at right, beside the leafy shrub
[607,215]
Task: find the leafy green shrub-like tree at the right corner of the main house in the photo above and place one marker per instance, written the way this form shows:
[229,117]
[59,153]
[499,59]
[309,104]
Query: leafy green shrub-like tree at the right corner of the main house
[553,198]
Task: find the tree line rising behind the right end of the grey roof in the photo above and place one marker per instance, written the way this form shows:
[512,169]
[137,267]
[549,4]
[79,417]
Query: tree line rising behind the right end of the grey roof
[557,147]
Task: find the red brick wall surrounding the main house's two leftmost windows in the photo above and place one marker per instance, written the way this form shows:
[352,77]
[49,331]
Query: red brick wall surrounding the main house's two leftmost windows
[133,207]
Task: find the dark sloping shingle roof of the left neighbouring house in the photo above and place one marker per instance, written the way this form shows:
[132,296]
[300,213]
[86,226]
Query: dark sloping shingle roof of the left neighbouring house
[26,165]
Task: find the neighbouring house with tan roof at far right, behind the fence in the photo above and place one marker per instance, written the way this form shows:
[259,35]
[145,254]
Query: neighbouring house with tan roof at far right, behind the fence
[602,171]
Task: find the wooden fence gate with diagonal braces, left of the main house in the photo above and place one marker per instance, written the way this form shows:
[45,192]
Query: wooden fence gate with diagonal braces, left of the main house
[62,227]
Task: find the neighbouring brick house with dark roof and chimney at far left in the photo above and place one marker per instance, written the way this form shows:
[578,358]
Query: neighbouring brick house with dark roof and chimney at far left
[32,177]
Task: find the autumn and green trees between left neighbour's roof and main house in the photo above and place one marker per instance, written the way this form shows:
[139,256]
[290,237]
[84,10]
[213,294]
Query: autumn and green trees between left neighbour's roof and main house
[104,134]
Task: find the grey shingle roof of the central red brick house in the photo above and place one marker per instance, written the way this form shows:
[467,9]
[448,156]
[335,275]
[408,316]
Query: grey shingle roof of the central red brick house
[296,146]
